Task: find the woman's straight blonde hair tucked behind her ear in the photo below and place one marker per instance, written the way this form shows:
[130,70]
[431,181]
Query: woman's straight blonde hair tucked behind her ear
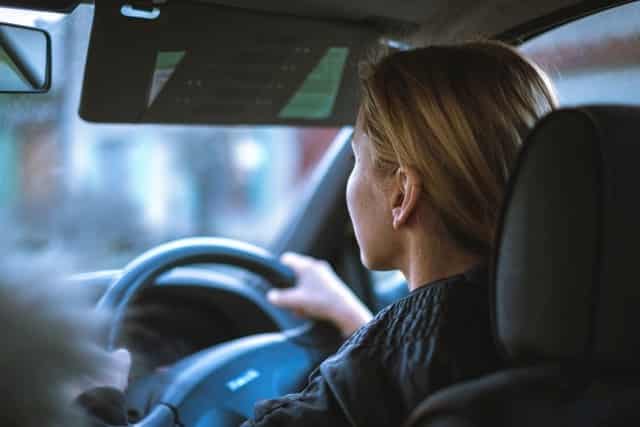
[457,114]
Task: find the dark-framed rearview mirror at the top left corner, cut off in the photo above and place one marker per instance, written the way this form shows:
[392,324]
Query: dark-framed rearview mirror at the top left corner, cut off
[25,59]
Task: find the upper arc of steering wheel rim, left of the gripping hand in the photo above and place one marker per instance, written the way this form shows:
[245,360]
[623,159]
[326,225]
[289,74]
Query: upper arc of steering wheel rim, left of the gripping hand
[140,273]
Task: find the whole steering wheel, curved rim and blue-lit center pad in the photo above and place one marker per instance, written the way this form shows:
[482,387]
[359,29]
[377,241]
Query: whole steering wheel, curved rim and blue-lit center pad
[219,385]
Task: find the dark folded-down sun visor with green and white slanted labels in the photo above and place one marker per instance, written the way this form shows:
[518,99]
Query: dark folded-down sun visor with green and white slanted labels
[186,62]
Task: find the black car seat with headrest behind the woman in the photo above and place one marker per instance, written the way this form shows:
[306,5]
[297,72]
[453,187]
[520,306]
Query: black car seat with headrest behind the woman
[565,285]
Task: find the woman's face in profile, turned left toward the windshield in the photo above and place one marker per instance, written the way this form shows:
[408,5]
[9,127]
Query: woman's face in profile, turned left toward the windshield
[367,206]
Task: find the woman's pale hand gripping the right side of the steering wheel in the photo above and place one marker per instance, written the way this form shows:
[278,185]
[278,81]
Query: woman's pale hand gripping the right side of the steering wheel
[320,294]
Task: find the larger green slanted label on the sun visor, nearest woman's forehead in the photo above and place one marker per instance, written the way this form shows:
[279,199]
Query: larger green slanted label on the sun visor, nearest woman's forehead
[317,95]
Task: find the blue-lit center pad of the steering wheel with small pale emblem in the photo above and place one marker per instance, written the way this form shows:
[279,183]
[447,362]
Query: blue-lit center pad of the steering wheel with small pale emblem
[237,374]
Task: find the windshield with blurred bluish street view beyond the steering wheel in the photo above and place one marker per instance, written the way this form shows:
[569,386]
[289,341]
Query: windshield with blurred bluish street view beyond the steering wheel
[105,193]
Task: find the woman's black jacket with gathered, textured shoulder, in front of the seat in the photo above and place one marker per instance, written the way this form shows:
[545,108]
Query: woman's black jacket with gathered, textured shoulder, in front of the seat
[438,335]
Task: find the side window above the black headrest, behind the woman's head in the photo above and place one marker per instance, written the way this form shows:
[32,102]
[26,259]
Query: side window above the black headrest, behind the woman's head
[593,60]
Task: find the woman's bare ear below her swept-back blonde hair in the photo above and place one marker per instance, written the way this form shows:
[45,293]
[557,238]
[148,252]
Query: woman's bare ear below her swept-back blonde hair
[406,192]
